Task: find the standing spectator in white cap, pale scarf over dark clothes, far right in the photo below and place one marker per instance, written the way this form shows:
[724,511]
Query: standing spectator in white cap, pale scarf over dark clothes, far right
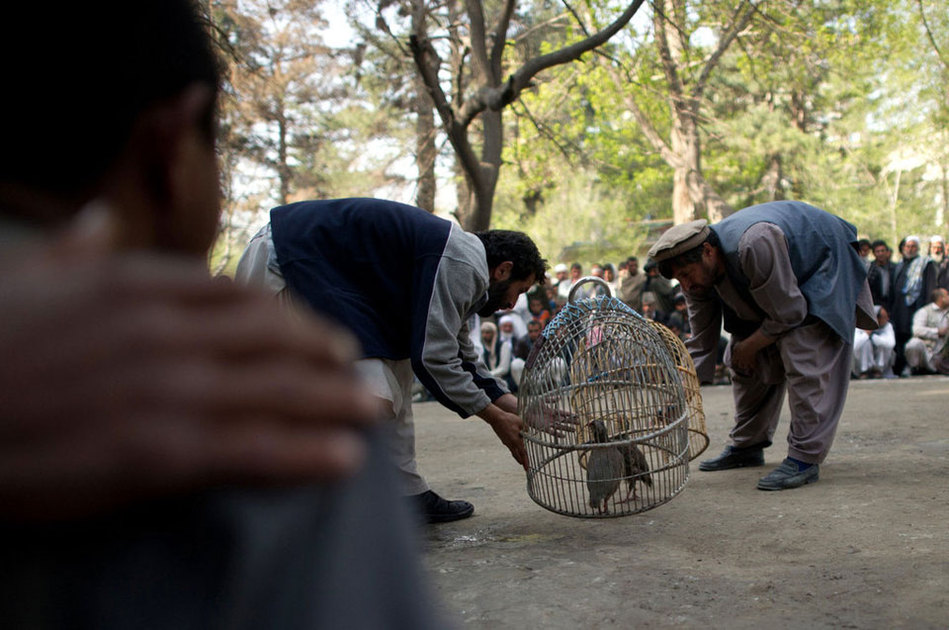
[914,281]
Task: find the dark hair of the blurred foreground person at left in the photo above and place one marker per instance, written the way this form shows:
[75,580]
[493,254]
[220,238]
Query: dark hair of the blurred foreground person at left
[79,74]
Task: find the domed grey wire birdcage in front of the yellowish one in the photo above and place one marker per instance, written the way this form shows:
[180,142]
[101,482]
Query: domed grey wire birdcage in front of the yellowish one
[605,411]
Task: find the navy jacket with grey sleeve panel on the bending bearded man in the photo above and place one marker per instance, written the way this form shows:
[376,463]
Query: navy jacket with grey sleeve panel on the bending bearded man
[403,280]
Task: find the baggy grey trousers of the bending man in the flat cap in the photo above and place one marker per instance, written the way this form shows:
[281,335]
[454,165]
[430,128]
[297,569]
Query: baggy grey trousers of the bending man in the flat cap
[813,364]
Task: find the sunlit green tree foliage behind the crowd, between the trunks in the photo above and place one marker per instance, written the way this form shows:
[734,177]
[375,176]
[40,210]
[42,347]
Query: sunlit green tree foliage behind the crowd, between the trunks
[844,104]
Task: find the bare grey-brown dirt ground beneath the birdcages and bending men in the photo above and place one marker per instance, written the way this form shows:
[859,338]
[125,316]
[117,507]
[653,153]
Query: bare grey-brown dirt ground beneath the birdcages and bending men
[865,547]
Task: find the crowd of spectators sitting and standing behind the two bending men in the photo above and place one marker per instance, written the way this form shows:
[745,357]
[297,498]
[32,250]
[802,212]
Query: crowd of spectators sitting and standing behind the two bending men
[910,289]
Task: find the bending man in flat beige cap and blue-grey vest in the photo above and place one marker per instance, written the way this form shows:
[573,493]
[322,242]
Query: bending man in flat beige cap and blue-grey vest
[791,287]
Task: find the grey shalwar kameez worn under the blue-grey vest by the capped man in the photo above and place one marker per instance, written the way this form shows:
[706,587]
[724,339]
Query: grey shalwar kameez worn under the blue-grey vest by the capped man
[808,357]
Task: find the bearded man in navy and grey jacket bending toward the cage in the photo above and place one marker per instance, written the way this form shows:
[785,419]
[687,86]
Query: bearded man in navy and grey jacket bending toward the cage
[406,282]
